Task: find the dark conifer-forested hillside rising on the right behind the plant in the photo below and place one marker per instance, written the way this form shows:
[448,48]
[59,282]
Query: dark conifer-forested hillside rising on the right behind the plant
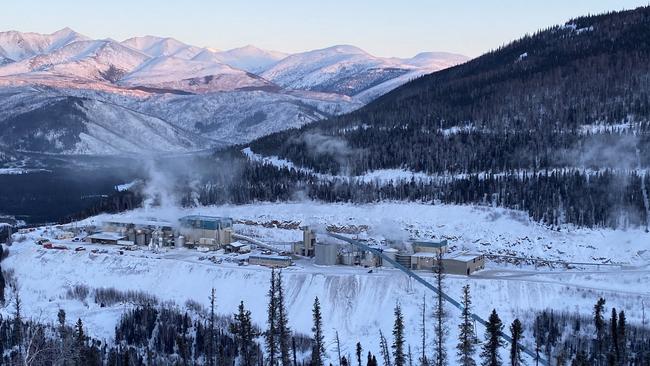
[555,123]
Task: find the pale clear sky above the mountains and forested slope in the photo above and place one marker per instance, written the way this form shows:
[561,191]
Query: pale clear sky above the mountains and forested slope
[383,28]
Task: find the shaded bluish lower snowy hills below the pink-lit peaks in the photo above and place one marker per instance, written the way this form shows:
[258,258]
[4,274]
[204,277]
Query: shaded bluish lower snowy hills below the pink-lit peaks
[77,121]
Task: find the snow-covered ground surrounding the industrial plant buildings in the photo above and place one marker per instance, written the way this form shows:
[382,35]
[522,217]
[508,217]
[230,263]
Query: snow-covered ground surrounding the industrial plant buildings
[356,303]
